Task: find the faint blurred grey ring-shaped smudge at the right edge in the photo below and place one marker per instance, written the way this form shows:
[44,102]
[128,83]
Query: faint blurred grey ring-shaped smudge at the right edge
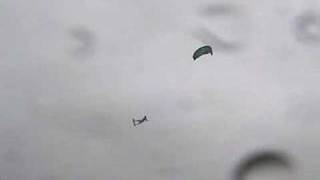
[307,27]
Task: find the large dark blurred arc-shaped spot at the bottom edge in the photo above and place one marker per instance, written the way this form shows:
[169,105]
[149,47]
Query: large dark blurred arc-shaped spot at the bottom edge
[265,160]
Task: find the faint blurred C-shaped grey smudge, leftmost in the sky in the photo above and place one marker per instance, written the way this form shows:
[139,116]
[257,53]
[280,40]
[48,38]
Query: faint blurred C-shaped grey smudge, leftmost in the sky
[86,40]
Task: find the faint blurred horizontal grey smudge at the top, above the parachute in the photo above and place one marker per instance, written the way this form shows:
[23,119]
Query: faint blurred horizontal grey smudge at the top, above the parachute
[218,9]
